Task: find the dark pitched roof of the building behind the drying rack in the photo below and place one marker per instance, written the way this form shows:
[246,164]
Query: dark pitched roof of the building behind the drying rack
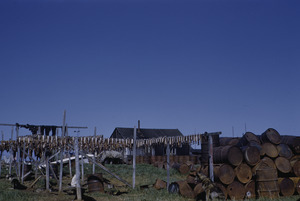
[144,133]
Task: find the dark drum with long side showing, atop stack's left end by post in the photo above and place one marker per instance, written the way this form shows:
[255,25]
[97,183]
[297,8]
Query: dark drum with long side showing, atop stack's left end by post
[231,154]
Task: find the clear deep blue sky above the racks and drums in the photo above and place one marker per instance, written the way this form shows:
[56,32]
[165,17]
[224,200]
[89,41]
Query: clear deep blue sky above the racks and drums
[193,65]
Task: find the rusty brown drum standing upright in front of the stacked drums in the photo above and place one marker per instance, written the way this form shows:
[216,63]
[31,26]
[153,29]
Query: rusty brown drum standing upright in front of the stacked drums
[267,182]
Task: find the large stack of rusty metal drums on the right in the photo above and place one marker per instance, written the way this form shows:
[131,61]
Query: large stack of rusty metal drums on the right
[266,165]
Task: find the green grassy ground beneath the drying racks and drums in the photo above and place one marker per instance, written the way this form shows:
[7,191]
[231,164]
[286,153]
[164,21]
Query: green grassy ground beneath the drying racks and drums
[145,175]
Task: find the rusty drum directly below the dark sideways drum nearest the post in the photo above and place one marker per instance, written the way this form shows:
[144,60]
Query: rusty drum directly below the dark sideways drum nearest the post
[224,173]
